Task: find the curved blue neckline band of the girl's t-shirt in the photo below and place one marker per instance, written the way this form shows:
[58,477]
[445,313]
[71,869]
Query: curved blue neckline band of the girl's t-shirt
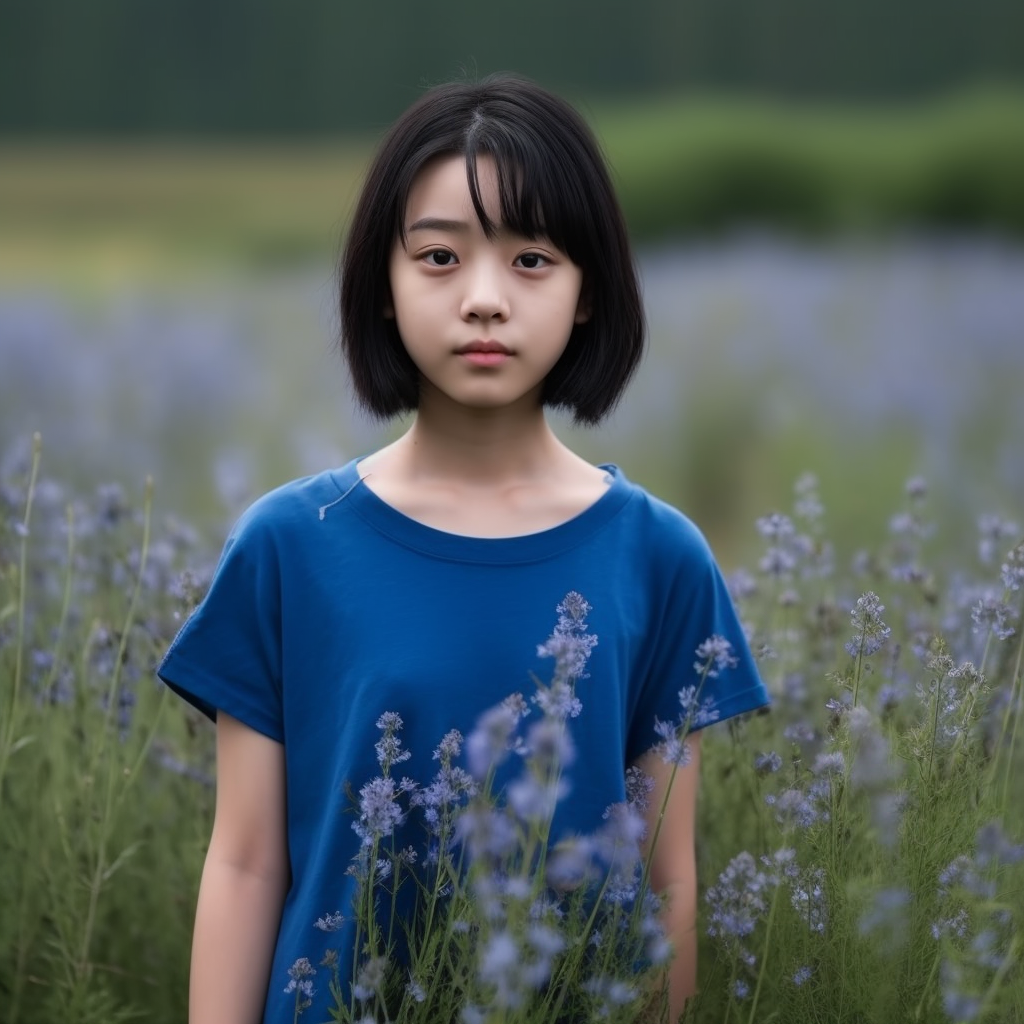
[527,547]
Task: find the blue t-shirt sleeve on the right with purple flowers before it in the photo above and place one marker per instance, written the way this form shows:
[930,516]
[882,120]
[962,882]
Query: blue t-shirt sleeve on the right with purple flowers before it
[698,609]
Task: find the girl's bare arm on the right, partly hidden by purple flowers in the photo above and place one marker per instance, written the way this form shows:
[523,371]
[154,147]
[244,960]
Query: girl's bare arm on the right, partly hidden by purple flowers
[674,866]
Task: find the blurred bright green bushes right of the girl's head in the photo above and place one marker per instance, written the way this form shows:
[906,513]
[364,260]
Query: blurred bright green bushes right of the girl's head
[687,167]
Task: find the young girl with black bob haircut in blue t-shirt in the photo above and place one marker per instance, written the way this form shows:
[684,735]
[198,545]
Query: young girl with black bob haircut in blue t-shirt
[487,276]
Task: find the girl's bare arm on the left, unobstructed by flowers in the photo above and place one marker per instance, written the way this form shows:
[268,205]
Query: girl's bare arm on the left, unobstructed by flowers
[245,880]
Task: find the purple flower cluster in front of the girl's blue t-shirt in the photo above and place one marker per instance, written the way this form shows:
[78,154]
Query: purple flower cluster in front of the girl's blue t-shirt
[505,920]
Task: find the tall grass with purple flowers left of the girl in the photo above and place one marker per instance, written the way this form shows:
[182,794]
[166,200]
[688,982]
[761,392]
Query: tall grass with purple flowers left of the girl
[102,838]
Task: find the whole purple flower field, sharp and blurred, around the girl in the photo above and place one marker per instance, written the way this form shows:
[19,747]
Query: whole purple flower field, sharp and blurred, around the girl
[862,848]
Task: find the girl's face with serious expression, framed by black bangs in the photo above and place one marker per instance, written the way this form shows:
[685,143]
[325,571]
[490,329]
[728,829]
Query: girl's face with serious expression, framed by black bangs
[484,320]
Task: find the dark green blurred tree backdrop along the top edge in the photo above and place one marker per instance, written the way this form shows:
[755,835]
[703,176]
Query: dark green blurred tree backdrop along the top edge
[325,67]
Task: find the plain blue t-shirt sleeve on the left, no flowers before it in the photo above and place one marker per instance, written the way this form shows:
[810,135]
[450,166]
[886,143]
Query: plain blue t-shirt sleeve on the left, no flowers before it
[228,655]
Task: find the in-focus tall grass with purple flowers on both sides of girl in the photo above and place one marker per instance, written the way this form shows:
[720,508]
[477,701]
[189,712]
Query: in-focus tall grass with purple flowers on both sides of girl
[862,847]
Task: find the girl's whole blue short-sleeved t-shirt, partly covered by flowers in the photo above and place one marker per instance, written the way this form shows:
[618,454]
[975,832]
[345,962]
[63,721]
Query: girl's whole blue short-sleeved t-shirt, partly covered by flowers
[330,608]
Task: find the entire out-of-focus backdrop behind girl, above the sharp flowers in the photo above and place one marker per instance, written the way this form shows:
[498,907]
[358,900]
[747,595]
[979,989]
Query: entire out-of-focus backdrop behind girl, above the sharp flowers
[827,200]
